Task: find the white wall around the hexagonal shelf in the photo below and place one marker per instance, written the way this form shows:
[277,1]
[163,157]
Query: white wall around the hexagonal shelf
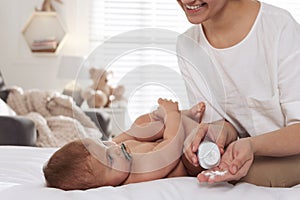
[22,68]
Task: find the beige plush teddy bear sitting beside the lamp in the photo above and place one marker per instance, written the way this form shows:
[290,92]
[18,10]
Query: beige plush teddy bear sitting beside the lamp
[100,93]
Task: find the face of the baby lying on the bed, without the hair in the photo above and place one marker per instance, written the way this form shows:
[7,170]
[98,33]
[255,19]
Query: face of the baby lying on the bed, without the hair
[110,162]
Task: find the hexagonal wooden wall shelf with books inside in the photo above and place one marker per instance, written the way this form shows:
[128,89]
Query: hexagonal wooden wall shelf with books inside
[44,33]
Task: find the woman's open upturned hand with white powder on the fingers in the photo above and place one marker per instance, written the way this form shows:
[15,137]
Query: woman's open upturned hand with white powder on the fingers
[235,163]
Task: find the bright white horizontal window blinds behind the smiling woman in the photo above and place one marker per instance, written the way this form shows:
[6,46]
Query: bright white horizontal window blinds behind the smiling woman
[146,73]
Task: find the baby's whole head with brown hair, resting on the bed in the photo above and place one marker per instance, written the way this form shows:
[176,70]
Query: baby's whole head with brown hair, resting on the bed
[84,164]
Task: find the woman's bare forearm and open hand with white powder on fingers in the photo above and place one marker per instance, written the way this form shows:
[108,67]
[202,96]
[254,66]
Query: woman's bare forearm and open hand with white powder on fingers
[238,158]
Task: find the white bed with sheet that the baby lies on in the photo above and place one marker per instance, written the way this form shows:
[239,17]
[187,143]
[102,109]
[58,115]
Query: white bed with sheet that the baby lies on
[21,177]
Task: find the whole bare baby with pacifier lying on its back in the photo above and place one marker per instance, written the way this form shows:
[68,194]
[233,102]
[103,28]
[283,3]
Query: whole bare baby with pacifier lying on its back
[151,149]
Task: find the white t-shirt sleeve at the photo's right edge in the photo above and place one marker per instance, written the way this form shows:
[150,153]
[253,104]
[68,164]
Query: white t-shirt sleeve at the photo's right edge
[289,71]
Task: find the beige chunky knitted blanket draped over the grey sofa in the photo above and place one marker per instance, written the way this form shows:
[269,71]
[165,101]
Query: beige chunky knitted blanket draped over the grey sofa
[57,118]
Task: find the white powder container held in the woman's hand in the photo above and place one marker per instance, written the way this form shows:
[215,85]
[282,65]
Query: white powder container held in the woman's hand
[208,154]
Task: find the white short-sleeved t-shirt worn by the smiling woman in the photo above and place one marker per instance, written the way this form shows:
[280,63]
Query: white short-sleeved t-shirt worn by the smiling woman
[254,84]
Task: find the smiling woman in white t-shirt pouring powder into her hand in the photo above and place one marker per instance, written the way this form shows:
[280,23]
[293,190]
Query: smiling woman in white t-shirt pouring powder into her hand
[255,48]
